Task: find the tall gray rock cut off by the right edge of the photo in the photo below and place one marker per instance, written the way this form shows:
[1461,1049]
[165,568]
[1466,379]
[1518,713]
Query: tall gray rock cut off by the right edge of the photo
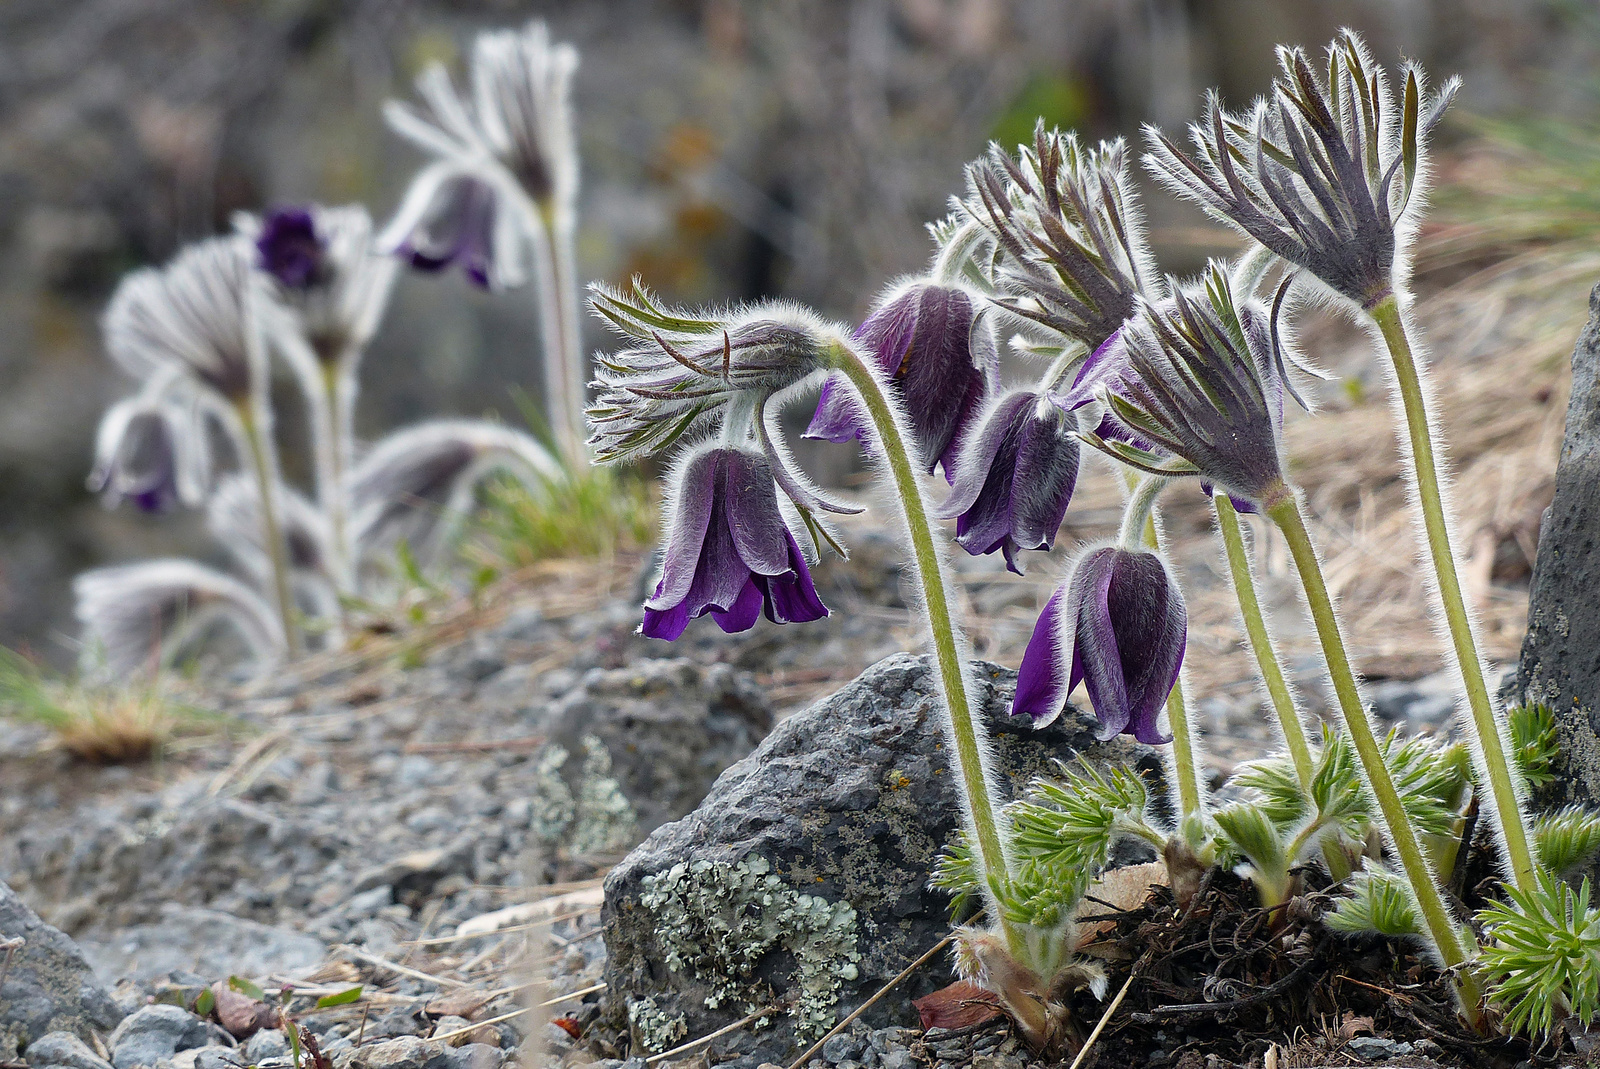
[1559,665]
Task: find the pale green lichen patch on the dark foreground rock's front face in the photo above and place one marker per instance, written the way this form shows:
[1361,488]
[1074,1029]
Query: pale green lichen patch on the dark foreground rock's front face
[718,923]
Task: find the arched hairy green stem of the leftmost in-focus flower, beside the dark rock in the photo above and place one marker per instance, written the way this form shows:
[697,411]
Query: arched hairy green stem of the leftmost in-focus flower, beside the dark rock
[966,729]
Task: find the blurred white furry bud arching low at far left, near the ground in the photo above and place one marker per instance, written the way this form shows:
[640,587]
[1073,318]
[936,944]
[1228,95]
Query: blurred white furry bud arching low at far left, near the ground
[150,614]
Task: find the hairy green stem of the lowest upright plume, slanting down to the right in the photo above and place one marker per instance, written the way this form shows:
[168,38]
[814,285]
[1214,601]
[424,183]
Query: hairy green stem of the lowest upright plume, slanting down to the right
[1436,918]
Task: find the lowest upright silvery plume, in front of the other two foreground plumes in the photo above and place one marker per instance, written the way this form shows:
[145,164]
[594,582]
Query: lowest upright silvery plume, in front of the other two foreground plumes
[1198,386]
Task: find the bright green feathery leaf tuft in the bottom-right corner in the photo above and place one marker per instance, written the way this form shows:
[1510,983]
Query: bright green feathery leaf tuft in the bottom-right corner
[1543,961]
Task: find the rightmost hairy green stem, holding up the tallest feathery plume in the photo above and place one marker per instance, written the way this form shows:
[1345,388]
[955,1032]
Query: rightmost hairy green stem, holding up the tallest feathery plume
[1490,753]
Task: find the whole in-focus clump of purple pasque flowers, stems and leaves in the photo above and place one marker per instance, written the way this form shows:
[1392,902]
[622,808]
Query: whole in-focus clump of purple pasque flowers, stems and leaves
[1188,382]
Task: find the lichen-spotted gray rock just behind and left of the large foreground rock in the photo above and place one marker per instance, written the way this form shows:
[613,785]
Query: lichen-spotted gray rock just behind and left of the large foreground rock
[670,727]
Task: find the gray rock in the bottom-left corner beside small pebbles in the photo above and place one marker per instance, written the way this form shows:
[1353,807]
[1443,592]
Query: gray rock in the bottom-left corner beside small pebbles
[50,987]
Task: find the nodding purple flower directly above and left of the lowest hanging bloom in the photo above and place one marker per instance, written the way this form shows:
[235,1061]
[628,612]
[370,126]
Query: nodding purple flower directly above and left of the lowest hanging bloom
[1015,478]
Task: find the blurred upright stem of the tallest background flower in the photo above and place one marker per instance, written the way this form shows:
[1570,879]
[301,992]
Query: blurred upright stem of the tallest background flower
[564,358]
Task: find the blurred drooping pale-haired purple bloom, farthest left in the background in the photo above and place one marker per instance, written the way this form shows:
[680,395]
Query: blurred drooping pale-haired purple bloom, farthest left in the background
[146,454]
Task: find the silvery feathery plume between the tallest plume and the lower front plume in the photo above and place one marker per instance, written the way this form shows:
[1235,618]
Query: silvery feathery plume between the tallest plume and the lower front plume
[1066,247]
